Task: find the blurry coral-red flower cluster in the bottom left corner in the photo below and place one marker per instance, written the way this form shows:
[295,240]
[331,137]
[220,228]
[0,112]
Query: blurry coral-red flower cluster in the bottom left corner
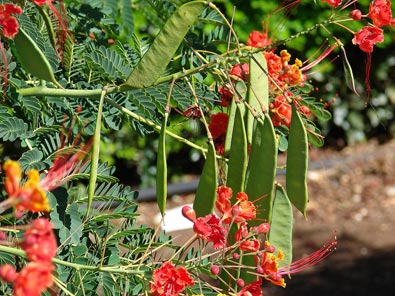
[40,245]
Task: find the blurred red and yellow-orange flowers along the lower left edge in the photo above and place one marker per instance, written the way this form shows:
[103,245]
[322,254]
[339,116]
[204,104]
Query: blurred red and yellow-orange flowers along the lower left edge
[38,241]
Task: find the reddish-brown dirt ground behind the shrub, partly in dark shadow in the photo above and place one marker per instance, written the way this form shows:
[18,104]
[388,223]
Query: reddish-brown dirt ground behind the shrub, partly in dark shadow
[352,194]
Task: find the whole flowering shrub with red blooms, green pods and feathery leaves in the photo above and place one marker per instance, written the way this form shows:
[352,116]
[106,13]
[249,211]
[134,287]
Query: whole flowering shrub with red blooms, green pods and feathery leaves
[68,226]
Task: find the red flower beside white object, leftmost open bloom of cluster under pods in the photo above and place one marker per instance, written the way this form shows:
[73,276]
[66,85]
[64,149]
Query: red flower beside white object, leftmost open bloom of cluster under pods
[209,229]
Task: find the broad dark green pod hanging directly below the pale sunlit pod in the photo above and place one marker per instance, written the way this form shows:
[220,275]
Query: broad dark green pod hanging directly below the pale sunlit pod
[261,170]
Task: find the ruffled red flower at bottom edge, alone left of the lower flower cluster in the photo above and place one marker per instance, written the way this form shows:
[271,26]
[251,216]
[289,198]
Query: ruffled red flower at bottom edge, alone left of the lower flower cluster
[169,281]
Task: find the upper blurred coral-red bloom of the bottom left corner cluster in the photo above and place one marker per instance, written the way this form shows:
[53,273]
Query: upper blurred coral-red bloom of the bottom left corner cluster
[39,242]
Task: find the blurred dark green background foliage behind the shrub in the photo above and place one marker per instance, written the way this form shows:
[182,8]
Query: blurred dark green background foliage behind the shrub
[133,23]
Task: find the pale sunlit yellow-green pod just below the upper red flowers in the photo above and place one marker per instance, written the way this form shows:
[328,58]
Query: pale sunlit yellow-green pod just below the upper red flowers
[258,92]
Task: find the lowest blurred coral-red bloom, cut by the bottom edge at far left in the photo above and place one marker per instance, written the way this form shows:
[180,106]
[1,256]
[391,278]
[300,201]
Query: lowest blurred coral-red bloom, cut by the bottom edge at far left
[33,279]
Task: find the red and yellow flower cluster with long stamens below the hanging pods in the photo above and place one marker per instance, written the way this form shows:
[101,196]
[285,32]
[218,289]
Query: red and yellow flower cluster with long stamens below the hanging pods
[228,230]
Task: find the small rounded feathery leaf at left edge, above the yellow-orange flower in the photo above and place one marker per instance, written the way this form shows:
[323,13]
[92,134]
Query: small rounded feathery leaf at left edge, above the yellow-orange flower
[12,128]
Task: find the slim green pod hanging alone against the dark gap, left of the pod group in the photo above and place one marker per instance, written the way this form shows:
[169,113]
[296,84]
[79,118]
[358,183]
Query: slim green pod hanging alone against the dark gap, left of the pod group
[161,168]
